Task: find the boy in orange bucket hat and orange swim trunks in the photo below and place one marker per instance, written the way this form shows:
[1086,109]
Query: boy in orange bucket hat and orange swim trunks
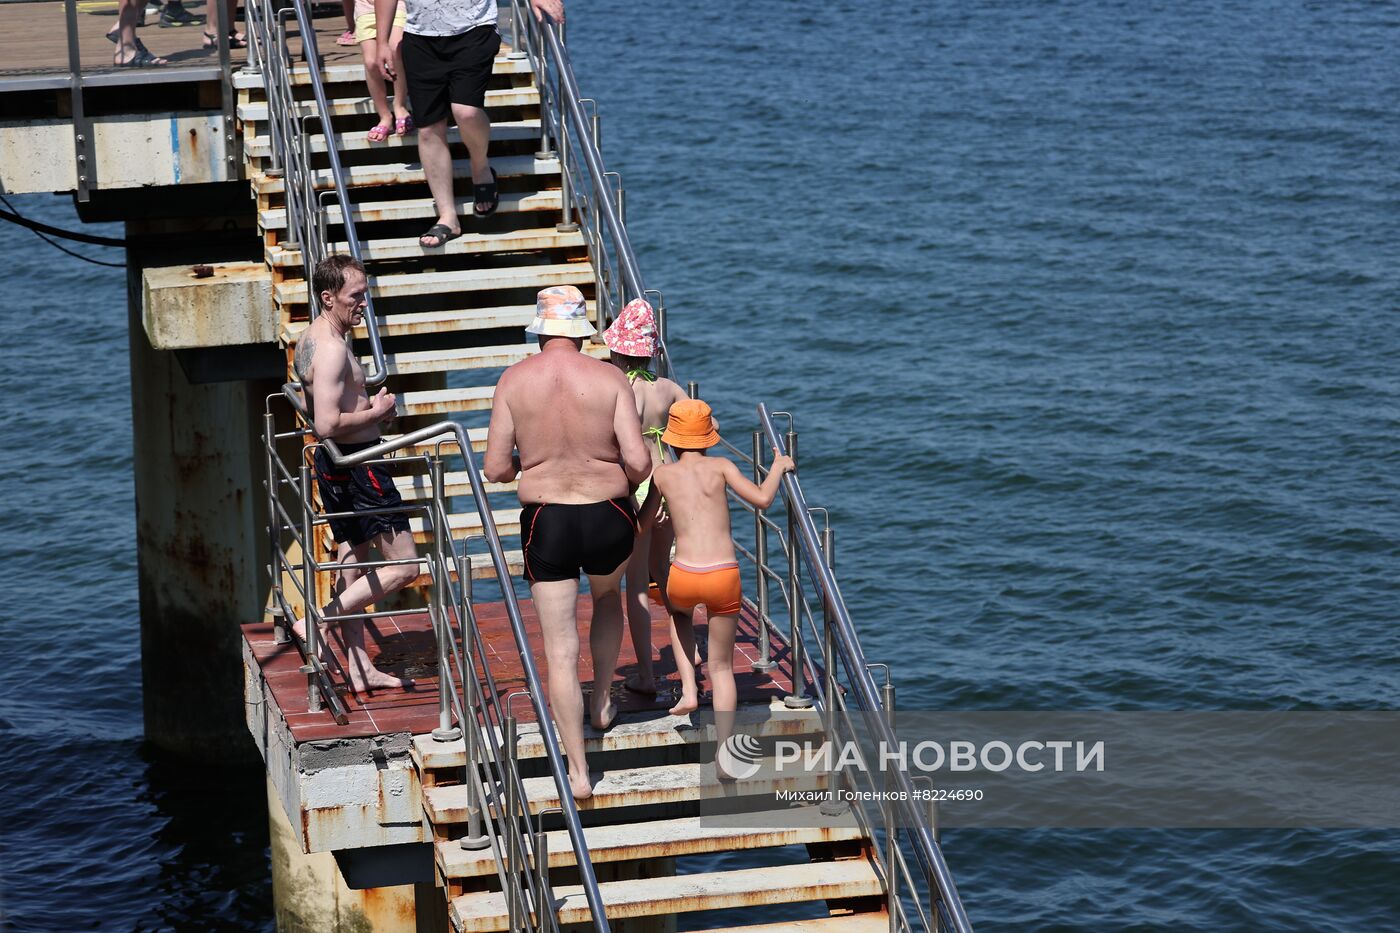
[705,571]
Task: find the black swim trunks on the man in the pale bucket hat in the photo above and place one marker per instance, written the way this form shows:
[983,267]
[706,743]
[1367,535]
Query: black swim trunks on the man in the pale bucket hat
[561,541]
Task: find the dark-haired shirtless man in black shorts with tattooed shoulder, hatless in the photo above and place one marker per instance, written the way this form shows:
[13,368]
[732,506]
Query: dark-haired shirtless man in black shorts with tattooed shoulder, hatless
[342,411]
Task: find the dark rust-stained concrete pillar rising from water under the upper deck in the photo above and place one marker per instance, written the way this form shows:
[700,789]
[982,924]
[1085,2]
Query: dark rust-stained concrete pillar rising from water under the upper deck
[199,537]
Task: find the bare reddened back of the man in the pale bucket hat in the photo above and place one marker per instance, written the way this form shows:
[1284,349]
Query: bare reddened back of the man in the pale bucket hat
[563,407]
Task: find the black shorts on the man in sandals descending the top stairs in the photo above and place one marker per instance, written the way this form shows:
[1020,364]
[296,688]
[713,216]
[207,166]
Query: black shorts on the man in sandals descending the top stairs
[449,69]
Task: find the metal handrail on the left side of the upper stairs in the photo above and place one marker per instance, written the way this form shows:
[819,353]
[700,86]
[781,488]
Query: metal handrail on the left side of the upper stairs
[307,209]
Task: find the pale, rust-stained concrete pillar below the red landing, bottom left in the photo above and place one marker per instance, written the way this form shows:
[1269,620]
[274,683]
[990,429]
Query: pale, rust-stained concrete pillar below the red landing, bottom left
[310,894]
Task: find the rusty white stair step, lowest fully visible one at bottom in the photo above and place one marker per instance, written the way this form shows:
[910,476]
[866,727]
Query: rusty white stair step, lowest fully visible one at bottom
[705,892]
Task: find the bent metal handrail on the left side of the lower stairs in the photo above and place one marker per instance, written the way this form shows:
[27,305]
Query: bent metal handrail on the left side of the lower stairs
[534,689]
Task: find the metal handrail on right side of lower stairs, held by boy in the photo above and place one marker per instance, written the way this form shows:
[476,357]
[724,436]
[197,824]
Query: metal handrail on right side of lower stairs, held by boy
[845,640]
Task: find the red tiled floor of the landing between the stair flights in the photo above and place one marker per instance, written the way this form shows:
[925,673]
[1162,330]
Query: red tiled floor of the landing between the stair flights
[404,645]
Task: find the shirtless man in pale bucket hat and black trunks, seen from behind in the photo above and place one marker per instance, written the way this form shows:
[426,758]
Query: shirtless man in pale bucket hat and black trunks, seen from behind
[575,422]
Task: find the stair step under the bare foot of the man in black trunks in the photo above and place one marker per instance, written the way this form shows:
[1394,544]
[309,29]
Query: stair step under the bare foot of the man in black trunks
[629,788]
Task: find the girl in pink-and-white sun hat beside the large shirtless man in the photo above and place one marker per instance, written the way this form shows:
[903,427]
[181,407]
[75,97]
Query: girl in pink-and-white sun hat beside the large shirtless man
[633,341]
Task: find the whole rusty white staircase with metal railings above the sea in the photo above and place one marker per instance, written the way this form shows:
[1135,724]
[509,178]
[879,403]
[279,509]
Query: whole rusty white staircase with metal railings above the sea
[513,848]
